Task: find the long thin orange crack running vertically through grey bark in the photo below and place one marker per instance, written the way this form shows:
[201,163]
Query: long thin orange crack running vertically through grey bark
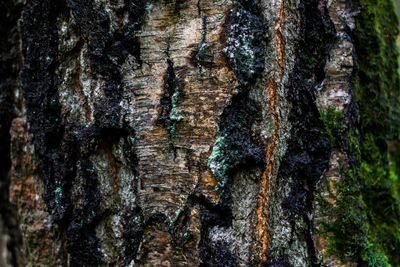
[271,89]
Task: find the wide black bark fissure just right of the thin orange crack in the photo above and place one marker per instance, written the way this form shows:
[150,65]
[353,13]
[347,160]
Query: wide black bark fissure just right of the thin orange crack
[308,151]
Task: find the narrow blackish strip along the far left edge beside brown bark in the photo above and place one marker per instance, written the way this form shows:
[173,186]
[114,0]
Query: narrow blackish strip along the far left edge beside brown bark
[10,64]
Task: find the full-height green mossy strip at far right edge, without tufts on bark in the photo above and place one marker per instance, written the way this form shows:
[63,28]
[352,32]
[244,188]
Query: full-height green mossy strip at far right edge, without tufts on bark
[378,97]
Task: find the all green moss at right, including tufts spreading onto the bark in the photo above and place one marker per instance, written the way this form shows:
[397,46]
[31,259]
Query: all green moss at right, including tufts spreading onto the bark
[367,210]
